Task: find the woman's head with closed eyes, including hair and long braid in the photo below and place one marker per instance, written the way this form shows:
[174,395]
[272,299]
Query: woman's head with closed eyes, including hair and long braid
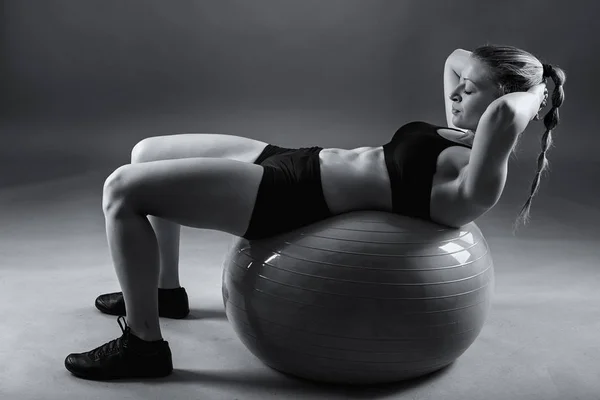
[503,70]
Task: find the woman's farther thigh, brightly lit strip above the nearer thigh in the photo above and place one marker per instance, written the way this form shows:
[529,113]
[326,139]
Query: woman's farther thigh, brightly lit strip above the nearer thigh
[194,145]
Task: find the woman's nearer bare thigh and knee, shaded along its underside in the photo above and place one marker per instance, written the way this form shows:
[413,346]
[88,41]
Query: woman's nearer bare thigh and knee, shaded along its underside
[205,193]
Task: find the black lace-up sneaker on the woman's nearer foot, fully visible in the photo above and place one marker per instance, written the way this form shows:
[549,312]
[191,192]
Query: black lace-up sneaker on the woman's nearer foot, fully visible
[124,357]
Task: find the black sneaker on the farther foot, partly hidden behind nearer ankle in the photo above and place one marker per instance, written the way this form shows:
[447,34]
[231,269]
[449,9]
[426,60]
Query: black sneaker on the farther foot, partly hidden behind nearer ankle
[172,303]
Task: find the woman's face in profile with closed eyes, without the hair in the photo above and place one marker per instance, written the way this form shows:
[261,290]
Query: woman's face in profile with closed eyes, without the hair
[472,96]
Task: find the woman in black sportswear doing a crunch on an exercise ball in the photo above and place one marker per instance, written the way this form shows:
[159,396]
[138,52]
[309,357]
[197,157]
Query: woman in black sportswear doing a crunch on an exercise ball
[253,189]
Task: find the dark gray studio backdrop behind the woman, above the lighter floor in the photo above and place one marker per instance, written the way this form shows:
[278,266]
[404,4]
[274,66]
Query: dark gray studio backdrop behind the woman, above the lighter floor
[85,80]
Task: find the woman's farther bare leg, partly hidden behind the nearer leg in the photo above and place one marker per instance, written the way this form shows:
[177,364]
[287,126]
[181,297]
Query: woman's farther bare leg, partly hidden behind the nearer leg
[179,146]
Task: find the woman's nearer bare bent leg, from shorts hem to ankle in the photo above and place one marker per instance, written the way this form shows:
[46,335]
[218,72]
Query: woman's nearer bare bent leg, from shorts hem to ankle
[205,193]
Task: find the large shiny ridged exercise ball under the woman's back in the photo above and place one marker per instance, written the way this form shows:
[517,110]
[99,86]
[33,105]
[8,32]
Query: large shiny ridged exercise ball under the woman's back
[360,298]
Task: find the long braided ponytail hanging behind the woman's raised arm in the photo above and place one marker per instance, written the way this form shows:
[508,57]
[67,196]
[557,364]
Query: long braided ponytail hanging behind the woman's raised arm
[551,120]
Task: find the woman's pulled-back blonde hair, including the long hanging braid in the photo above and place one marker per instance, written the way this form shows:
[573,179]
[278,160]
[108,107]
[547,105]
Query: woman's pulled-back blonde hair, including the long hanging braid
[516,70]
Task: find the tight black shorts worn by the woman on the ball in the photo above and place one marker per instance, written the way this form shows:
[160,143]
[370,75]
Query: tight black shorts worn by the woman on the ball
[290,194]
